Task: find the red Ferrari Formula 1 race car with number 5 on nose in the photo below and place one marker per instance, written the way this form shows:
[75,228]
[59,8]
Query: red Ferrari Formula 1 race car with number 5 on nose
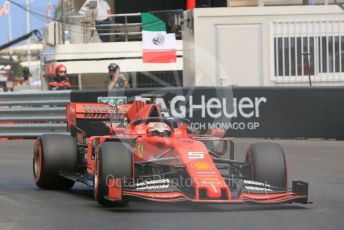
[132,151]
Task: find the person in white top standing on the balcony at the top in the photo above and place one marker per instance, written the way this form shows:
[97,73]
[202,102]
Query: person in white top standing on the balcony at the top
[103,17]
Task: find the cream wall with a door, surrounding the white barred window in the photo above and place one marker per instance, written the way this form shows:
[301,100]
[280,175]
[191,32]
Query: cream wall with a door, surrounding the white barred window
[235,45]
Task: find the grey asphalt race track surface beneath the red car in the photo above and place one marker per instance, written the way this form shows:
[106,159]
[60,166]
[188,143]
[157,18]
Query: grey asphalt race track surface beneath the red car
[23,206]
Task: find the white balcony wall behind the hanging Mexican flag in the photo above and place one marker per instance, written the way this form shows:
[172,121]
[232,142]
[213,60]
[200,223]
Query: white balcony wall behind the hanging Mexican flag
[95,57]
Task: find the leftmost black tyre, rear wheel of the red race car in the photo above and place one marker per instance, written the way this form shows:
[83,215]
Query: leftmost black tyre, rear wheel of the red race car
[54,153]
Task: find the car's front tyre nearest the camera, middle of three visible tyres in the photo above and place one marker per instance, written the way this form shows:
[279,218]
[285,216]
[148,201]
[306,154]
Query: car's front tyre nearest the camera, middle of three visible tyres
[114,161]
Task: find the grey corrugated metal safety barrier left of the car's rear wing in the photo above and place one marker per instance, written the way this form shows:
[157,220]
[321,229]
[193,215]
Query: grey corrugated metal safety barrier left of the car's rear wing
[30,114]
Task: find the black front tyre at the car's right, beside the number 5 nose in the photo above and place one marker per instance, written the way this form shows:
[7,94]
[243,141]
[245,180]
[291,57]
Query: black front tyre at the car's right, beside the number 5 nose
[268,164]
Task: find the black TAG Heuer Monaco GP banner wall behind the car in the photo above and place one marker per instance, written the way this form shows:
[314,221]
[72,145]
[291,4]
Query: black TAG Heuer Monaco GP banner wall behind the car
[261,112]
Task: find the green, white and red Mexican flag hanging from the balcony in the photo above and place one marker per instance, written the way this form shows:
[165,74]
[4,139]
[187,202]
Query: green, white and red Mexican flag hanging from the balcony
[158,45]
